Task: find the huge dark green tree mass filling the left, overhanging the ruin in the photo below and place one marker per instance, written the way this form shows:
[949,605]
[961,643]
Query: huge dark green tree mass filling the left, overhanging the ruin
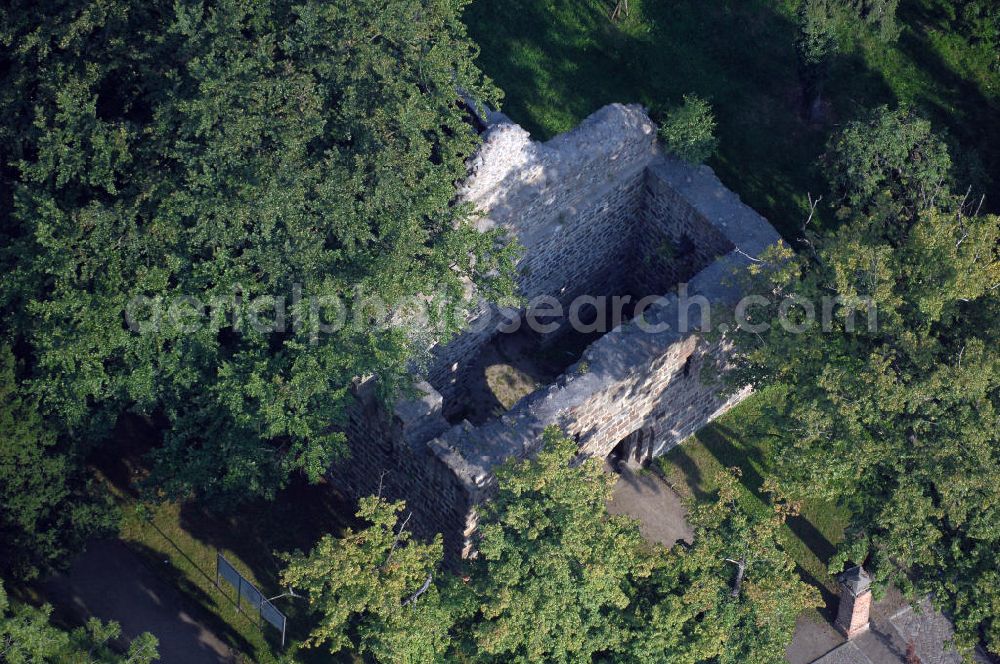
[218,159]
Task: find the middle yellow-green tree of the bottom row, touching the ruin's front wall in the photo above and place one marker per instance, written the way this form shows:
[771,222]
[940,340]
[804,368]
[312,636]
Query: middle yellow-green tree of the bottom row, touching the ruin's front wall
[555,572]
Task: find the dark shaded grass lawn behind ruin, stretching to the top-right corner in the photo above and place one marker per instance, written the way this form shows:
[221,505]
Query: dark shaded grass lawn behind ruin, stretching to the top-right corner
[558,61]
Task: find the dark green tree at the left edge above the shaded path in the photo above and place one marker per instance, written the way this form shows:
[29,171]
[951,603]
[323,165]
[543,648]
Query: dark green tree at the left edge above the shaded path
[46,510]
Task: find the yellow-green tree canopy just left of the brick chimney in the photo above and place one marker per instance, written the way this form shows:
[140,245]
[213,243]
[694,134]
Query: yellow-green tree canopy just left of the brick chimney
[733,595]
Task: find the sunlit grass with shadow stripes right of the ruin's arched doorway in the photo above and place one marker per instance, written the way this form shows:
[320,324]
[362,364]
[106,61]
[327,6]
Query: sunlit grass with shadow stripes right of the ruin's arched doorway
[742,438]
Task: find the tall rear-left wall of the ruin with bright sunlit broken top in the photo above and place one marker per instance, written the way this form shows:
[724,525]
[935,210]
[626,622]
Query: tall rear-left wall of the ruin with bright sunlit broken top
[570,202]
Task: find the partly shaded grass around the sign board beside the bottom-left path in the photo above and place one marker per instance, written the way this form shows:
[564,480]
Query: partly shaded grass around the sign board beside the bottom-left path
[180,540]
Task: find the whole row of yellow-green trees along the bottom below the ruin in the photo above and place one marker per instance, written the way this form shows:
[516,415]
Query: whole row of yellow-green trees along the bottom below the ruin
[558,579]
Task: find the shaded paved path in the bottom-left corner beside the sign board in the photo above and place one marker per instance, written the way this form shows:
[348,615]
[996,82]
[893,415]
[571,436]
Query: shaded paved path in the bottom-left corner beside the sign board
[110,582]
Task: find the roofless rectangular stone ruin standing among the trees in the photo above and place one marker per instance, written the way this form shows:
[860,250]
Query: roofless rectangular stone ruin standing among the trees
[600,211]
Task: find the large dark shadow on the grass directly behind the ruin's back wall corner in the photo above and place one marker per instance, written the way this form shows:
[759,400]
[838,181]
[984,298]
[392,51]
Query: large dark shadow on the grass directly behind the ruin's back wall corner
[560,61]
